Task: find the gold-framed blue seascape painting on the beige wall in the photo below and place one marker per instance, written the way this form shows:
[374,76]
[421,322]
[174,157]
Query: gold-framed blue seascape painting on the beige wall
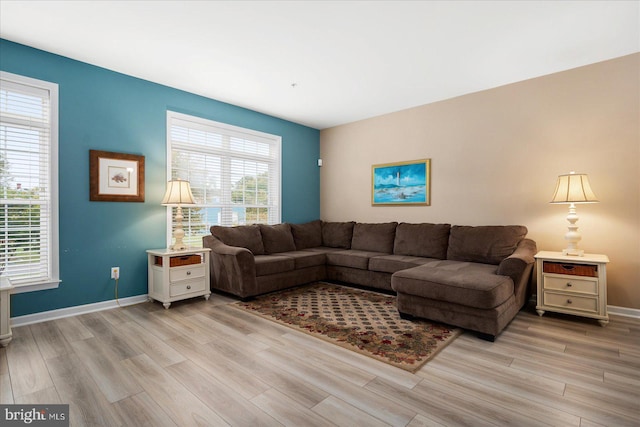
[401,183]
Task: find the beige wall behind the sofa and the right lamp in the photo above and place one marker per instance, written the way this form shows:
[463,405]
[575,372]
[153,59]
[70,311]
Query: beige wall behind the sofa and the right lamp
[496,155]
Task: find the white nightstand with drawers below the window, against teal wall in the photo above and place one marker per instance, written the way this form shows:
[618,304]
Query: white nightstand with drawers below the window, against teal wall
[178,275]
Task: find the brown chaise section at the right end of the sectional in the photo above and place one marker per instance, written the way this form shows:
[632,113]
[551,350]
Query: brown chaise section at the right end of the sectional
[481,286]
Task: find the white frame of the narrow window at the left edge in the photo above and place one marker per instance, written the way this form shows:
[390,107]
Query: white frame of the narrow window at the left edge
[52,278]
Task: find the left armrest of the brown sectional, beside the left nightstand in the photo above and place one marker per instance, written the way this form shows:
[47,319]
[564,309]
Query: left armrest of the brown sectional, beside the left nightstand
[233,268]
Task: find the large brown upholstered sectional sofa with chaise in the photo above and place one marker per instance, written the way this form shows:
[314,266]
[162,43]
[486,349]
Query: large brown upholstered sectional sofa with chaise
[472,277]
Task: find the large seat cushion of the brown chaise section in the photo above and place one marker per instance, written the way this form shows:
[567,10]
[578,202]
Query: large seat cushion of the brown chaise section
[464,283]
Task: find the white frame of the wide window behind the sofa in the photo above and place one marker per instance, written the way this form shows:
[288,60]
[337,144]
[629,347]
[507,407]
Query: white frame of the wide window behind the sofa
[227,131]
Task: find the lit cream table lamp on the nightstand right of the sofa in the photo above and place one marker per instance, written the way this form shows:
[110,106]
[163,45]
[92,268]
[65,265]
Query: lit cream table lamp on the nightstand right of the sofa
[573,188]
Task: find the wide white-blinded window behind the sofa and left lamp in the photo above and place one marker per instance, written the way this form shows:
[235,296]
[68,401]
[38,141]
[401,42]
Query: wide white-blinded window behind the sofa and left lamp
[234,174]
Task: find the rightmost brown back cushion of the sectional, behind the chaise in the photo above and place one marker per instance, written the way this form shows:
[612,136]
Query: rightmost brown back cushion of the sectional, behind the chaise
[486,244]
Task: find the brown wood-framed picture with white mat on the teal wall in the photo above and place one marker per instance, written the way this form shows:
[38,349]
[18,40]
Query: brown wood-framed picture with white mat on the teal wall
[116,177]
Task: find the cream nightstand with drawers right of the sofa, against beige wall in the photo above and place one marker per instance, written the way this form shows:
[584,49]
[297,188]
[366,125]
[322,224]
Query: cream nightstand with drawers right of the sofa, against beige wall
[572,284]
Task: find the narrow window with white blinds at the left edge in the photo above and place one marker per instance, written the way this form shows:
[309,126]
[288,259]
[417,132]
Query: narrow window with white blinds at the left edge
[28,182]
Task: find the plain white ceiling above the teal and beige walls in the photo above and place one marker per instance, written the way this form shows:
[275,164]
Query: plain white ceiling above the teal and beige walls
[325,63]
